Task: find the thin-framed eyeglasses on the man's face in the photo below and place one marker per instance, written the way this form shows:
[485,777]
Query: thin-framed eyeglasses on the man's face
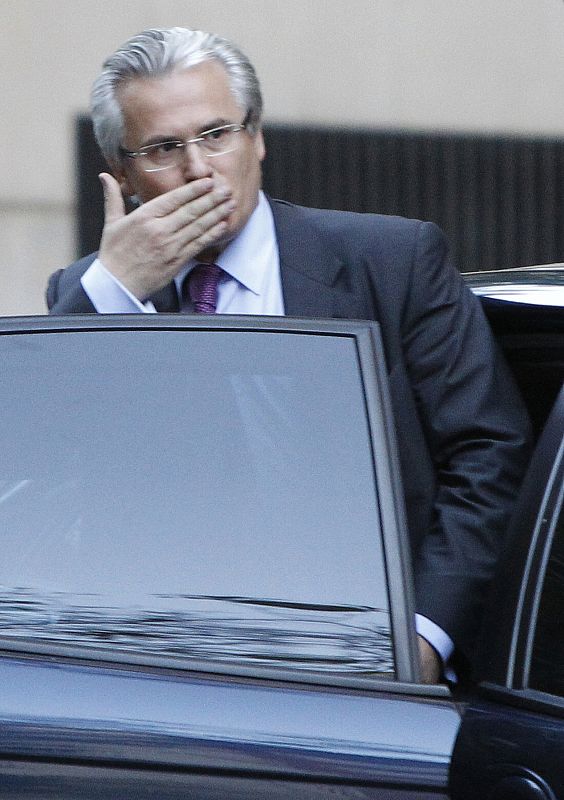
[212,143]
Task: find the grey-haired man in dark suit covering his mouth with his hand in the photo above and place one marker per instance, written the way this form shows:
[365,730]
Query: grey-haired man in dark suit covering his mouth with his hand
[177,114]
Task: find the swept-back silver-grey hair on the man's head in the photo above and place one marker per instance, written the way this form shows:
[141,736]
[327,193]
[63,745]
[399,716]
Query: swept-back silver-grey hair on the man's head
[157,52]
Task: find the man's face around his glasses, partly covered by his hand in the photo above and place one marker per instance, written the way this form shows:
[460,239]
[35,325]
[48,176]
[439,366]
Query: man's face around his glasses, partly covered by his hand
[180,106]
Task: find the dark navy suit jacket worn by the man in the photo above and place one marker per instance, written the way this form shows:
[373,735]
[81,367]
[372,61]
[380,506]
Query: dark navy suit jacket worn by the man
[461,427]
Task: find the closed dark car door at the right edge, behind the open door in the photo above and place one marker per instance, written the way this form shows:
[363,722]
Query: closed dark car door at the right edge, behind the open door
[512,737]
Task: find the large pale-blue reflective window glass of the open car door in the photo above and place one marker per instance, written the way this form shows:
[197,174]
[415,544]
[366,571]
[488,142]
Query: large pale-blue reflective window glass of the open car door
[201,494]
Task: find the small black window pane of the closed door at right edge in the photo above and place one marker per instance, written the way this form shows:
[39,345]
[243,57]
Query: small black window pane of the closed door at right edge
[547,663]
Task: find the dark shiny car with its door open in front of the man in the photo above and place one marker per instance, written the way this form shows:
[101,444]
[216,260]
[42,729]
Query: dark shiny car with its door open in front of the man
[159,640]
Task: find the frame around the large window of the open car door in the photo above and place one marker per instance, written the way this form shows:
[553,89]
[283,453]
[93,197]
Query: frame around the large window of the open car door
[396,549]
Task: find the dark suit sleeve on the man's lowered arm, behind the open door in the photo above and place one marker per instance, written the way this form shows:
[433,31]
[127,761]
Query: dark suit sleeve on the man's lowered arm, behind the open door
[477,435]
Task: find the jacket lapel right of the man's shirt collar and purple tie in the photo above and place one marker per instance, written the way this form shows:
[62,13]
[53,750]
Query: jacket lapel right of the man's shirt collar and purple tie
[316,281]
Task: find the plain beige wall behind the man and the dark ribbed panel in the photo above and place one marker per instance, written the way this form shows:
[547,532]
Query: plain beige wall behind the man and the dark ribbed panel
[495,65]
